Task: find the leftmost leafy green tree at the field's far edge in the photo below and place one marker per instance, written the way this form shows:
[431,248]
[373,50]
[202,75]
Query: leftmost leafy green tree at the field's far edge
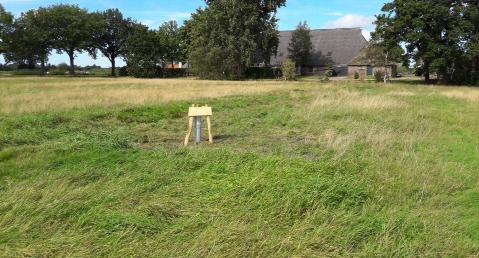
[30,42]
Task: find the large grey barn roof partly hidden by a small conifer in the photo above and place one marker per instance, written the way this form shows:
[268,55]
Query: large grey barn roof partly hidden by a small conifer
[331,46]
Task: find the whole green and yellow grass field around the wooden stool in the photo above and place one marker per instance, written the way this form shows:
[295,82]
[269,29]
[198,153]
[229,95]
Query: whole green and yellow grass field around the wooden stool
[95,167]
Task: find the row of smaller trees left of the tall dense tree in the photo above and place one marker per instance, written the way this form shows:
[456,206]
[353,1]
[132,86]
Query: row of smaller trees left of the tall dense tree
[30,39]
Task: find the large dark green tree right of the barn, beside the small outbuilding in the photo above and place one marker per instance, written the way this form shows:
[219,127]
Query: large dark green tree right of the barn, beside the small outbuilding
[433,33]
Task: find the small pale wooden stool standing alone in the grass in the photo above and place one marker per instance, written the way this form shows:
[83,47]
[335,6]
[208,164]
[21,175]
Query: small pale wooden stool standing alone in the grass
[195,113]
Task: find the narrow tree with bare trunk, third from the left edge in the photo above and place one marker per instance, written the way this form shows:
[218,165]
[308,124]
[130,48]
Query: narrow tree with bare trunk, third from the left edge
[112,36]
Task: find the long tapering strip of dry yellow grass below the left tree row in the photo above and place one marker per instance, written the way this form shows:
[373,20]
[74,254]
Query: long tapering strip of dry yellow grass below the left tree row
[24,95]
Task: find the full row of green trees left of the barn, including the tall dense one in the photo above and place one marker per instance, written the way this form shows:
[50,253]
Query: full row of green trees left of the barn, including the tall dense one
[220,41]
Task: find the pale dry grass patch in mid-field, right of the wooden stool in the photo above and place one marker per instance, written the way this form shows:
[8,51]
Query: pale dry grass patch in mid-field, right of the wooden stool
[329,98]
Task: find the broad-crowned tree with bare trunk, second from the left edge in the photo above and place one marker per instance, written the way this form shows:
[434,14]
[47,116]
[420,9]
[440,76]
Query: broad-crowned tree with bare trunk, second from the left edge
[71,29]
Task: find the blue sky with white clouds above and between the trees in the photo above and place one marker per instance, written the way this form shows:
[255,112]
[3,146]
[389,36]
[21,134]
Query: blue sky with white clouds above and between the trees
[319,14]
